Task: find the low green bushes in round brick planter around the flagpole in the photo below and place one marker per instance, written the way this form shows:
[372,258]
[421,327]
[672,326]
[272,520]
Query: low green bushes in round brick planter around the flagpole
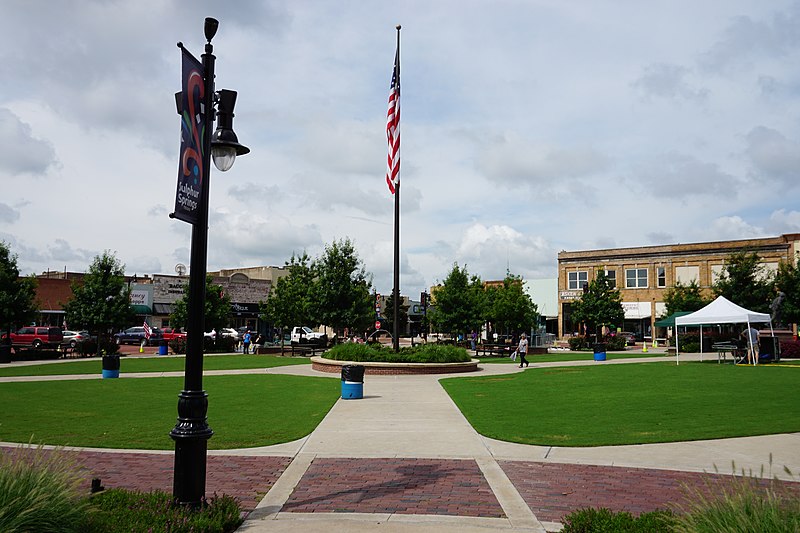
[424,353]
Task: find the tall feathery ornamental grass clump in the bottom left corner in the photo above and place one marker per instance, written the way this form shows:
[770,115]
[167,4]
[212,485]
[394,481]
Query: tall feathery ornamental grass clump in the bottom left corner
[40,491]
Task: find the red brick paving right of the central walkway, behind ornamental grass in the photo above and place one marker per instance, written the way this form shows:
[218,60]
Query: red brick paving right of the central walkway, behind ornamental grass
[553,490]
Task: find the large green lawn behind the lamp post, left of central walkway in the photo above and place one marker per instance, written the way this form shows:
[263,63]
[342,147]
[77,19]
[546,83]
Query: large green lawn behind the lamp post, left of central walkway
[244,410]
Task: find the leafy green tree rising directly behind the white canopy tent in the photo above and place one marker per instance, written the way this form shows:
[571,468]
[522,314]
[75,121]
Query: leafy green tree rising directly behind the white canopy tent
[745,282]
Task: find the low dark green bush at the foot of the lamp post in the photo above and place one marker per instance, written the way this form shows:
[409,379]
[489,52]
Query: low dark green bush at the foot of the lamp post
[143,512]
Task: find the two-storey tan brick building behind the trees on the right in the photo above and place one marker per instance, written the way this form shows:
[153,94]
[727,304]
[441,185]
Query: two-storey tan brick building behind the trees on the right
[643,274]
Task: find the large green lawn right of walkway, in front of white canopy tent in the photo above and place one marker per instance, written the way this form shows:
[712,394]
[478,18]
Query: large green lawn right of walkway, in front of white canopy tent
[631,404]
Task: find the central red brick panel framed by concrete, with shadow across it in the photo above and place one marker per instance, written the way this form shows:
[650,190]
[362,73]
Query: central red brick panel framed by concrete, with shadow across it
[404,486]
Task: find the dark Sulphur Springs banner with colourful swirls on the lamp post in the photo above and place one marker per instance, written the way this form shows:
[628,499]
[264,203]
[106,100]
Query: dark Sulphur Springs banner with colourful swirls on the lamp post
[190,166]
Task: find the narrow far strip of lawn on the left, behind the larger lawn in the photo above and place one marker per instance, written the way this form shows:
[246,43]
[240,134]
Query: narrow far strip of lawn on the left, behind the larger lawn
[152,364]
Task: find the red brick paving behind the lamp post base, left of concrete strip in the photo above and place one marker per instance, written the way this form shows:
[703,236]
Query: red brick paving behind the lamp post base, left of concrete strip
[247,478]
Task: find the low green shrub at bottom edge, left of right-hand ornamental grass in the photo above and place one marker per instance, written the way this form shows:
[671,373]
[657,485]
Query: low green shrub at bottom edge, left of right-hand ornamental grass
[605,521]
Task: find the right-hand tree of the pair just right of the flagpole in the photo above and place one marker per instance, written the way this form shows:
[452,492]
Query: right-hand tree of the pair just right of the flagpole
[511,308]
